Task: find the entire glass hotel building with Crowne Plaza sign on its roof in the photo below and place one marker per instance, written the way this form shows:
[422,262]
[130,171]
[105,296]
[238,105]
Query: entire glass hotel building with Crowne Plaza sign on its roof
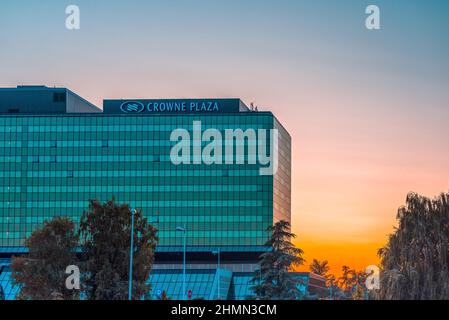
[57,151]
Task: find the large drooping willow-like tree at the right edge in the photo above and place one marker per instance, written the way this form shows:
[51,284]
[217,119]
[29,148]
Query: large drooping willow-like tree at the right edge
[415,261]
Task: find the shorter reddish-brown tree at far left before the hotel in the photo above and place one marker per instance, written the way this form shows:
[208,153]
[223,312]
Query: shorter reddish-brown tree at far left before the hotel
[40,274]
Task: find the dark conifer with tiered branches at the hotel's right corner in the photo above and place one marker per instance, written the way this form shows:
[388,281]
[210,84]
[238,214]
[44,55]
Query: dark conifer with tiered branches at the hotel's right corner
[274,281]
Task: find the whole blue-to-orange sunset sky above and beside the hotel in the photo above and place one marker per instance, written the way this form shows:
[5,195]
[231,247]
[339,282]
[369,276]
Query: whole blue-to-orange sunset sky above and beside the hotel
[368,111]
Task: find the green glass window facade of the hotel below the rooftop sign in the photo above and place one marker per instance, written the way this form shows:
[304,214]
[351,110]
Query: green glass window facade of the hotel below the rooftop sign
[50,165]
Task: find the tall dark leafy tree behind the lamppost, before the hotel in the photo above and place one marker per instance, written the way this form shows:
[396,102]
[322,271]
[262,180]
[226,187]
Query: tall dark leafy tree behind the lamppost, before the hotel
[105,230]
